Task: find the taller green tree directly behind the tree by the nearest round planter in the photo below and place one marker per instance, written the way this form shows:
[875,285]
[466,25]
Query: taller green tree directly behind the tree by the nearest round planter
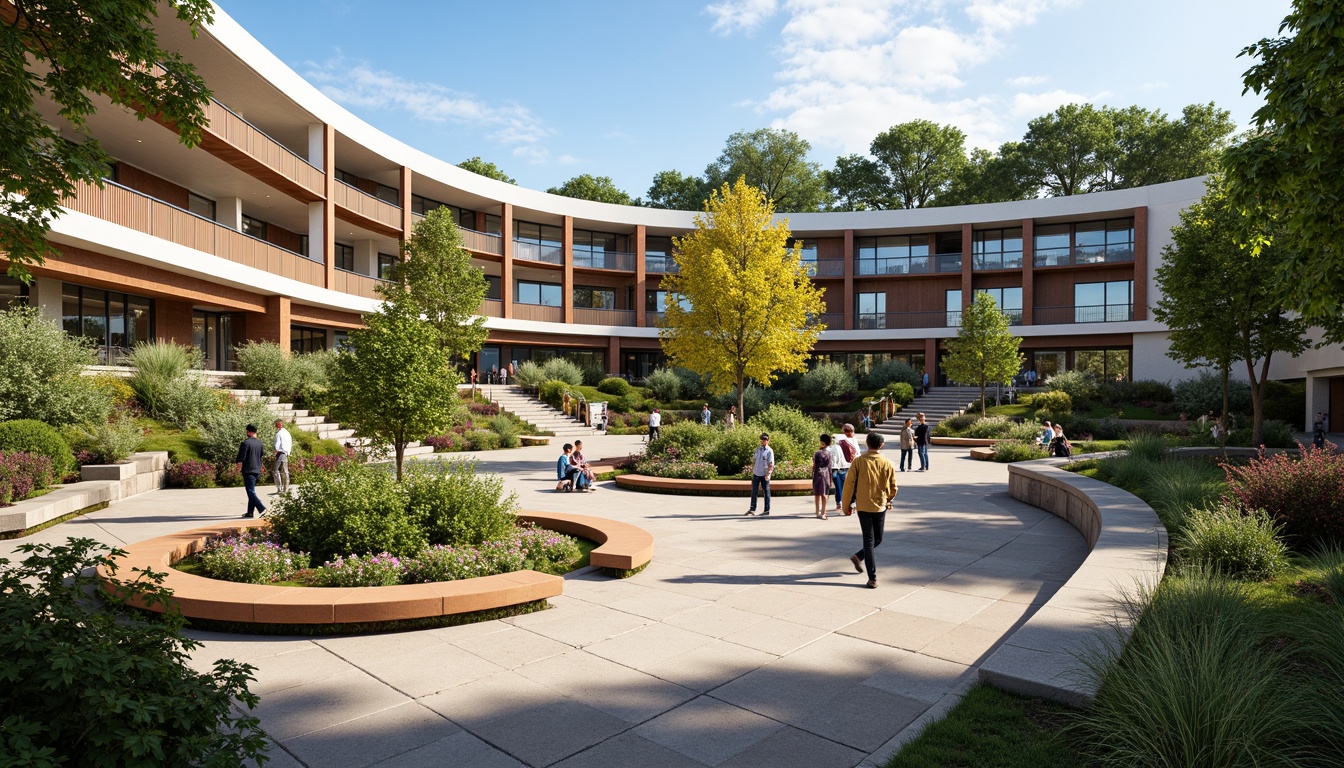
[439,282]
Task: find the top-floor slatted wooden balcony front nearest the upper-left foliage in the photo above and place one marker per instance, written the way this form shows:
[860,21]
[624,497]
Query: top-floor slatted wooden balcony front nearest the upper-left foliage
[243,145]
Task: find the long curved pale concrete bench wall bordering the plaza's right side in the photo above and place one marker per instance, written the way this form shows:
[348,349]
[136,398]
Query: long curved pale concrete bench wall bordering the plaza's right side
[1128,549]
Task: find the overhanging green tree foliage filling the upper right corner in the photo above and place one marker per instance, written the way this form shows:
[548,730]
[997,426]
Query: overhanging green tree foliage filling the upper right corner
[1291,170]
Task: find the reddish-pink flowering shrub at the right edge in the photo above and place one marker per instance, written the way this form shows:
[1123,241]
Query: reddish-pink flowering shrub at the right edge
[1304,496]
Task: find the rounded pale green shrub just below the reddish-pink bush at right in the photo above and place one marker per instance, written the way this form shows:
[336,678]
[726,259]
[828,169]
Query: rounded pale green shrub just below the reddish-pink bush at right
[1226,540]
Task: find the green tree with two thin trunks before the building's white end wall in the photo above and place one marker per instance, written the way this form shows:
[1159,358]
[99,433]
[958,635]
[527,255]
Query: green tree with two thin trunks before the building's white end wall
[1217,302]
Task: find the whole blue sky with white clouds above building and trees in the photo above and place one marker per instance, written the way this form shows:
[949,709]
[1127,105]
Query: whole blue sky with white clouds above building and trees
[626,89]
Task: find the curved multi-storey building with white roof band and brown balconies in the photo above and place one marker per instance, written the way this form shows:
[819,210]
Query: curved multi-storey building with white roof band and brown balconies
[282,223]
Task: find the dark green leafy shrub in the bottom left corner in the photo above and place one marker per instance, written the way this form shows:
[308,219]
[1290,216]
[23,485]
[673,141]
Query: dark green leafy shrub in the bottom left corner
[92,681]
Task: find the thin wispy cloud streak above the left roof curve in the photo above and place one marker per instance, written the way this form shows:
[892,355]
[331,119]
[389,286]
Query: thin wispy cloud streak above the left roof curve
[364,88]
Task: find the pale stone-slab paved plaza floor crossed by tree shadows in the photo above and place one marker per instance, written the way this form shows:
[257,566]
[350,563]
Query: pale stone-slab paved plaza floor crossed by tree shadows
[748,642]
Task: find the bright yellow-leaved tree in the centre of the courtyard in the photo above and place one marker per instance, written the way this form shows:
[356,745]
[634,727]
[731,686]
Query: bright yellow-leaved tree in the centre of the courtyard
[751,309]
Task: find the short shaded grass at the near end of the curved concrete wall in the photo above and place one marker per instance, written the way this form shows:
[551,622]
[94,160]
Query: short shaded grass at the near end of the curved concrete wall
[993,728]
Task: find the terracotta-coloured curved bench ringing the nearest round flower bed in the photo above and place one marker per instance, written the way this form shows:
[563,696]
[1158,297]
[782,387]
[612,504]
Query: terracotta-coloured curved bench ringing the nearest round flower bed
[210,599]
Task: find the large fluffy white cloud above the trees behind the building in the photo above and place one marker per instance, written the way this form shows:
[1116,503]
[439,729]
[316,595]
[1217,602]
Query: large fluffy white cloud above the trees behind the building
[850,69]
